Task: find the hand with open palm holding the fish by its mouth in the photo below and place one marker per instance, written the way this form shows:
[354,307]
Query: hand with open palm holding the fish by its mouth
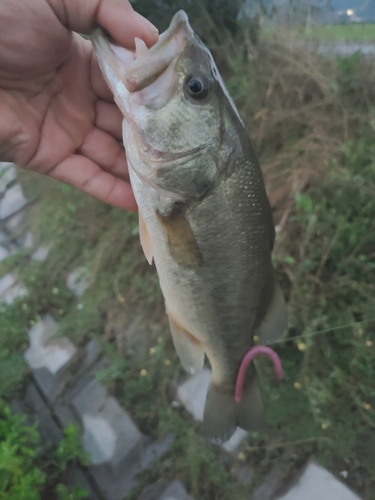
[57,115]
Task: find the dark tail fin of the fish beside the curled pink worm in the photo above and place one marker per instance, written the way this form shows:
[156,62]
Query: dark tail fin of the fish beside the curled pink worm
[222,414]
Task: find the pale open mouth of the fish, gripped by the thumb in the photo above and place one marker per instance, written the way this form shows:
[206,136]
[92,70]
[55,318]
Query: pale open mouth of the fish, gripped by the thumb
[139,68]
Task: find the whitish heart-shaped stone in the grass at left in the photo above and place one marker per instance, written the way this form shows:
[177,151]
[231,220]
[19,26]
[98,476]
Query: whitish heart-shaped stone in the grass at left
[45,351]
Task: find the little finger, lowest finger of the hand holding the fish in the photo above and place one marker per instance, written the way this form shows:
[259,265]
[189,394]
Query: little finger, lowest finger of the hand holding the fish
[86,175]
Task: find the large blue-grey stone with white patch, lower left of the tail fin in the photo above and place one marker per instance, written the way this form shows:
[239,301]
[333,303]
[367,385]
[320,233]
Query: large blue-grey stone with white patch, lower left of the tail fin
[110,436]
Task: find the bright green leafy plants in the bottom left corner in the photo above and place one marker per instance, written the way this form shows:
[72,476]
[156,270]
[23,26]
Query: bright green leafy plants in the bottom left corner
[25,469]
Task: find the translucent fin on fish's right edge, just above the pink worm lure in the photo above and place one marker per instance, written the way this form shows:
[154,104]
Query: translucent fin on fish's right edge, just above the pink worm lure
[275,322]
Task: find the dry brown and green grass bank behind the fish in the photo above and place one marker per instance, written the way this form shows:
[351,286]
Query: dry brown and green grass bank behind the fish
[312,123]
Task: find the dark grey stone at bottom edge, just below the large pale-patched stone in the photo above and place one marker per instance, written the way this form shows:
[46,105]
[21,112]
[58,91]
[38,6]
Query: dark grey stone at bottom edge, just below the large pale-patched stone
[117,486]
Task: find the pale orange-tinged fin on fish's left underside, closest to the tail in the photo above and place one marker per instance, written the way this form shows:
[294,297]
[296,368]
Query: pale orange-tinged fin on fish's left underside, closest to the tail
[188,347]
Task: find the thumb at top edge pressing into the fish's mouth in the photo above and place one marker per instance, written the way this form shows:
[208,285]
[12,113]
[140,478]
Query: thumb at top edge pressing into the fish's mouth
[116,16]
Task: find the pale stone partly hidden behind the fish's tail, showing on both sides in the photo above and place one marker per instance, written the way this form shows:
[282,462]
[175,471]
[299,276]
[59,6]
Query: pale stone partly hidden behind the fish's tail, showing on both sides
[192,395]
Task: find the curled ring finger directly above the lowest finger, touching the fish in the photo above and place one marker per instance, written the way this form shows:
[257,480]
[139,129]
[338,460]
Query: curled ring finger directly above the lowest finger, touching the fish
[105,151]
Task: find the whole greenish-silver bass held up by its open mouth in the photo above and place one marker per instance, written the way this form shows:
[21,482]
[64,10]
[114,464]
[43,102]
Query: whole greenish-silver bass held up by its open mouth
[204,216]
